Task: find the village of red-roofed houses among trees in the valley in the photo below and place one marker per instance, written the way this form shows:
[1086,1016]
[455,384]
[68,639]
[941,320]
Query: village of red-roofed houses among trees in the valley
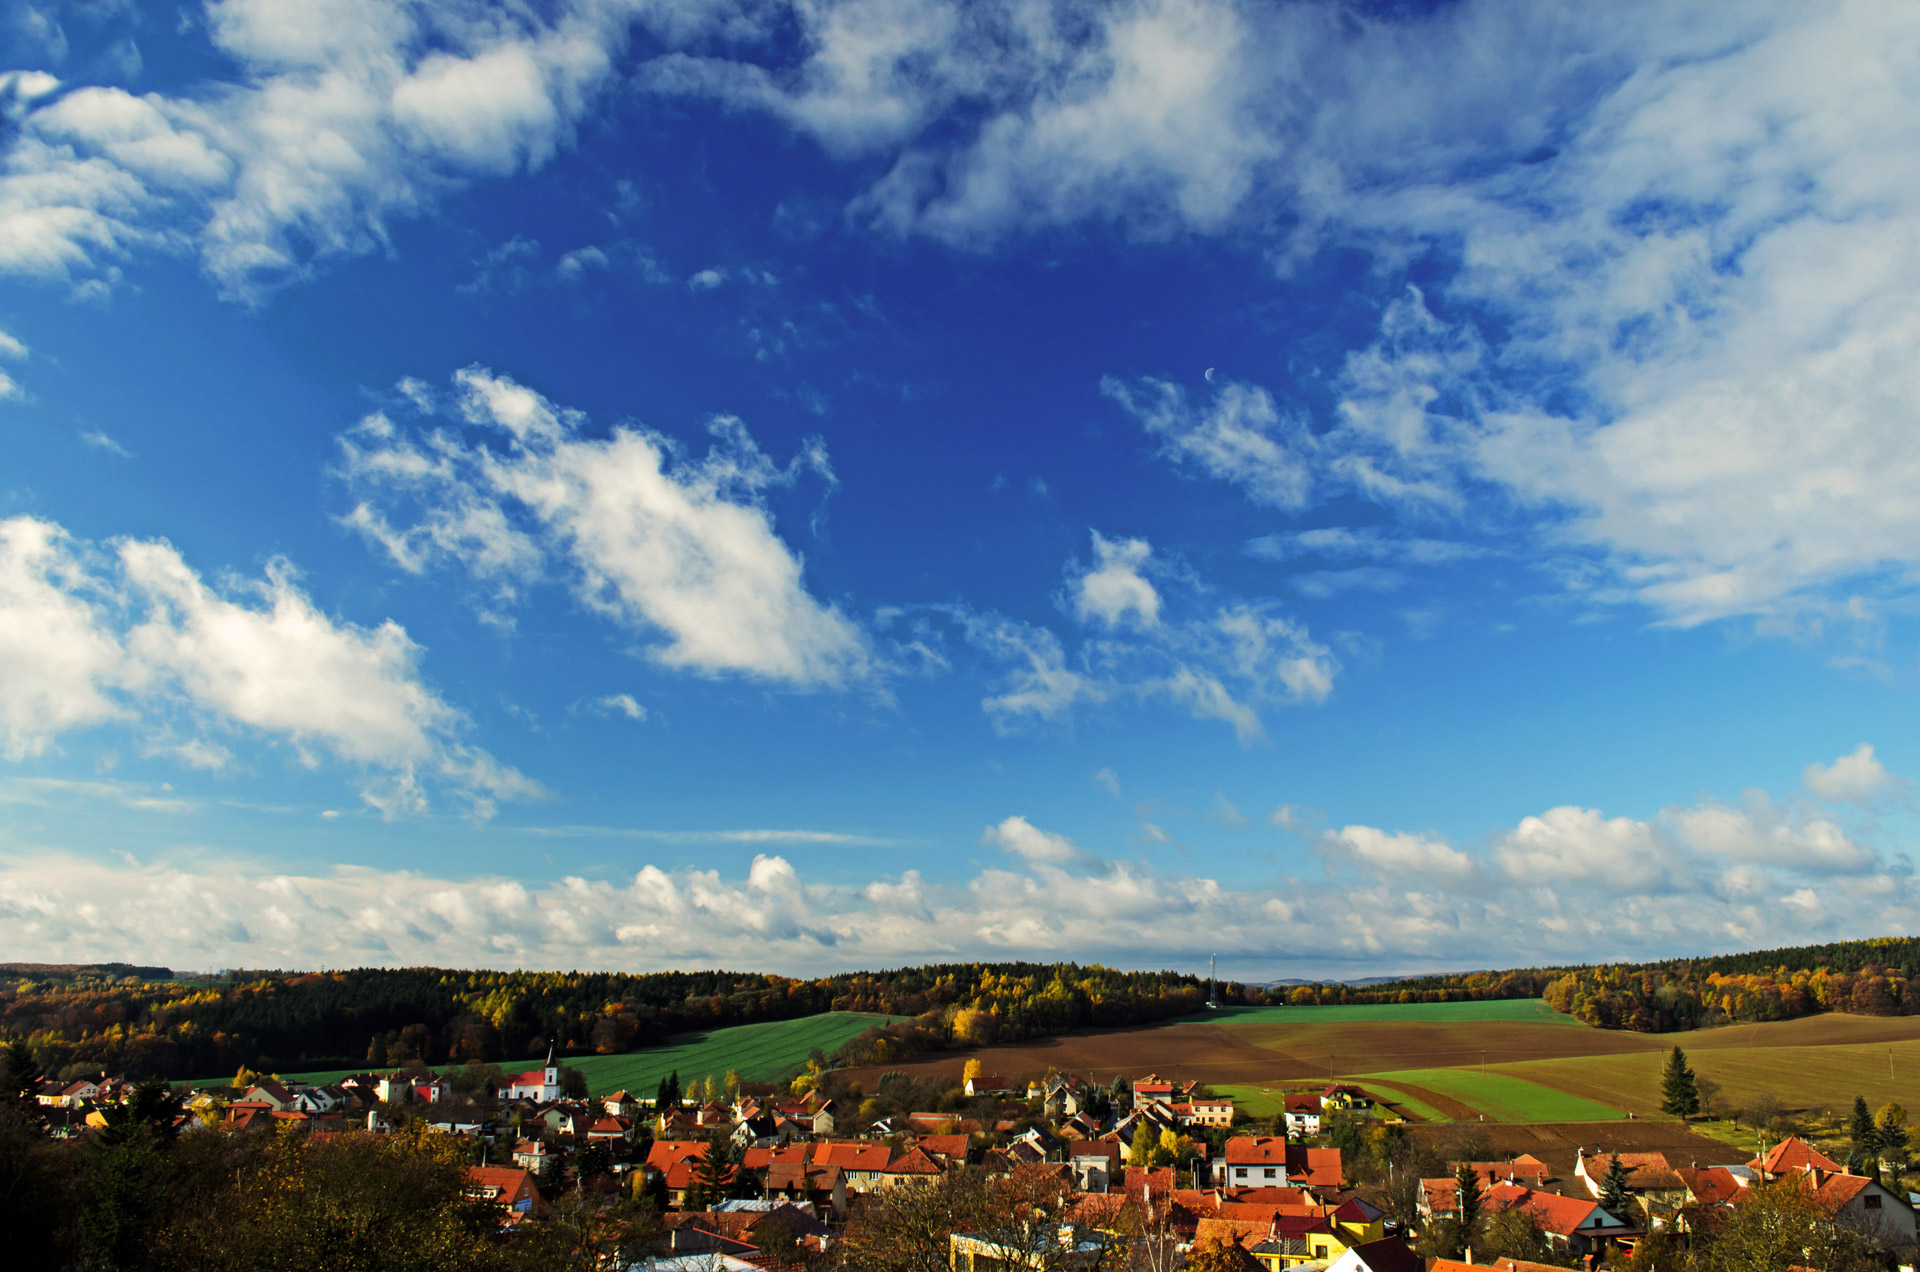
[1068,1173]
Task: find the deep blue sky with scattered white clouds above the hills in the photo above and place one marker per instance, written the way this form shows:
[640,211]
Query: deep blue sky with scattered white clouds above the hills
[1355,489]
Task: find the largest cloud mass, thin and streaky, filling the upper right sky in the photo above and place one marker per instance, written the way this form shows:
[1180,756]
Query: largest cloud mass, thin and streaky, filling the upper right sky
[1662,243]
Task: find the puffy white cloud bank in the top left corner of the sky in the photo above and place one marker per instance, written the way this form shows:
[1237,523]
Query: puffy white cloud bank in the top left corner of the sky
[343,116]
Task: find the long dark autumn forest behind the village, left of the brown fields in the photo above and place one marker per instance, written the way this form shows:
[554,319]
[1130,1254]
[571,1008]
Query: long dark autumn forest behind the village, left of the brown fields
[277,1021]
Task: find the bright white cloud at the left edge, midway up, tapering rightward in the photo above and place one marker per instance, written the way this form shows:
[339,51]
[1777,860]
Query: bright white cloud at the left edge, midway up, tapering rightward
[133,633]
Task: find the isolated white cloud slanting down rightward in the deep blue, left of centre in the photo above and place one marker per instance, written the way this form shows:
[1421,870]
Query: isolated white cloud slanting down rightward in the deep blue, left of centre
[650,537]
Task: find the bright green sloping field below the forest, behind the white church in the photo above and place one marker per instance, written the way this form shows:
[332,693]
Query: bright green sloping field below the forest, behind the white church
[771,1052]
